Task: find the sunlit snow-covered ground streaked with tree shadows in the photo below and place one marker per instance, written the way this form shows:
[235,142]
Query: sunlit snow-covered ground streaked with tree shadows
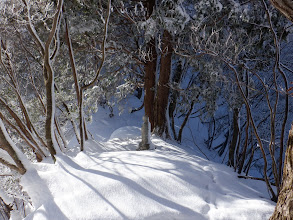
[110,180]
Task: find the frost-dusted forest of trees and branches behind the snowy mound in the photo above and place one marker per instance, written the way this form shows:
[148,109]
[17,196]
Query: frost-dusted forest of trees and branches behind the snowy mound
[226,63]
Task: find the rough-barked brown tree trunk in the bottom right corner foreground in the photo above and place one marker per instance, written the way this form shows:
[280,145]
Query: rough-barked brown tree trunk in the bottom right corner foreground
[284,208]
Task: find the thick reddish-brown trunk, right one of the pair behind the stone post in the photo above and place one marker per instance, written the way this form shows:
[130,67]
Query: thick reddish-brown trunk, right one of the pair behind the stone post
[162,97]
